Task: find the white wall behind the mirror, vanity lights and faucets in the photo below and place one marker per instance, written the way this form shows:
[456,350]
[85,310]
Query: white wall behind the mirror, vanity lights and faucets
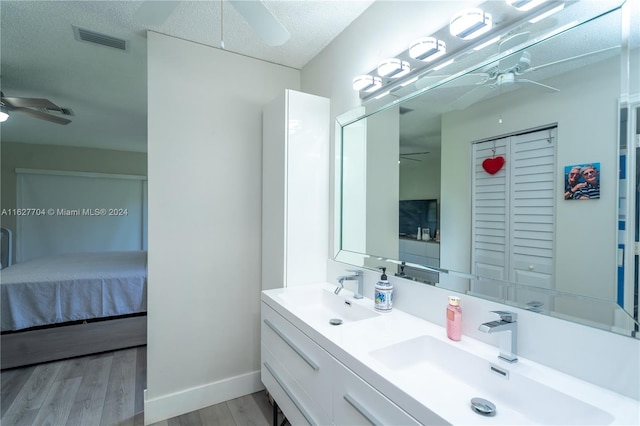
[600,357]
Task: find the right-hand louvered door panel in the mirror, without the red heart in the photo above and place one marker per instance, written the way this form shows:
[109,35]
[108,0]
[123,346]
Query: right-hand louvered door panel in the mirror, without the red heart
[532,208]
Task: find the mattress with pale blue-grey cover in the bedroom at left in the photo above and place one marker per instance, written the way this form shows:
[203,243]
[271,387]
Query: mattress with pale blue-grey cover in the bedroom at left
[72,287]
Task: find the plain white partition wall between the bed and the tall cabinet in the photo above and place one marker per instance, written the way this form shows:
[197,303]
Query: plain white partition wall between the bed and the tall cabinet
[205,185]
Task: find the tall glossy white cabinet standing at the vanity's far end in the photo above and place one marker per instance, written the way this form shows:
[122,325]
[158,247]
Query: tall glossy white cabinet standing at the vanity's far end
[295,190]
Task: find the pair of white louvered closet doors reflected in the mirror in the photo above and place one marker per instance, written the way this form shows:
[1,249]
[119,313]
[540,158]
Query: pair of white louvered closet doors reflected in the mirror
[513,216]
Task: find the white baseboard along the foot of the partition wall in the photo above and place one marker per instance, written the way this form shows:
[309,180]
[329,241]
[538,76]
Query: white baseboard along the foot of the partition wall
[192,399]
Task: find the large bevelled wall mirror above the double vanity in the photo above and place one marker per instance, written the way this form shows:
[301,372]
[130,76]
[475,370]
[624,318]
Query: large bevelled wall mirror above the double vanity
[481,152]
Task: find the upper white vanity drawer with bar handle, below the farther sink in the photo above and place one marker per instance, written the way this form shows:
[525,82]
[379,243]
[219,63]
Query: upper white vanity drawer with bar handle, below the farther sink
[306,362]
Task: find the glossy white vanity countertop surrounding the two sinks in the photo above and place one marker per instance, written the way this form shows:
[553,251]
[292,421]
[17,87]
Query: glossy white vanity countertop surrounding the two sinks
[420,391]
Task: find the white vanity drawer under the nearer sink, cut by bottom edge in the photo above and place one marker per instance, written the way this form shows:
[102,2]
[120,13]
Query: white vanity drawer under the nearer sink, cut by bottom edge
[355,402]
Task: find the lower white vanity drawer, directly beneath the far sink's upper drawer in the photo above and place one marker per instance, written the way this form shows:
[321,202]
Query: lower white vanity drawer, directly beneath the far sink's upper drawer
[298,407]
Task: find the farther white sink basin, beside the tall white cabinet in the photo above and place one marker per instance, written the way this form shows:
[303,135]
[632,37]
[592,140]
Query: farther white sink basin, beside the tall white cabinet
[319,306]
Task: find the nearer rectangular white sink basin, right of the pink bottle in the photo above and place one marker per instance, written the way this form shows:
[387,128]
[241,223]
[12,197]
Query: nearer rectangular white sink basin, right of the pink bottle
[435,360]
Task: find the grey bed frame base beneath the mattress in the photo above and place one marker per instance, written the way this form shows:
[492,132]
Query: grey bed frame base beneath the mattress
[43,344]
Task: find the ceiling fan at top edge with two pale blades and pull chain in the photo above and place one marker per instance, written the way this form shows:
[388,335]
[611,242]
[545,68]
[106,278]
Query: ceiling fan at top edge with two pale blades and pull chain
[263,22]
